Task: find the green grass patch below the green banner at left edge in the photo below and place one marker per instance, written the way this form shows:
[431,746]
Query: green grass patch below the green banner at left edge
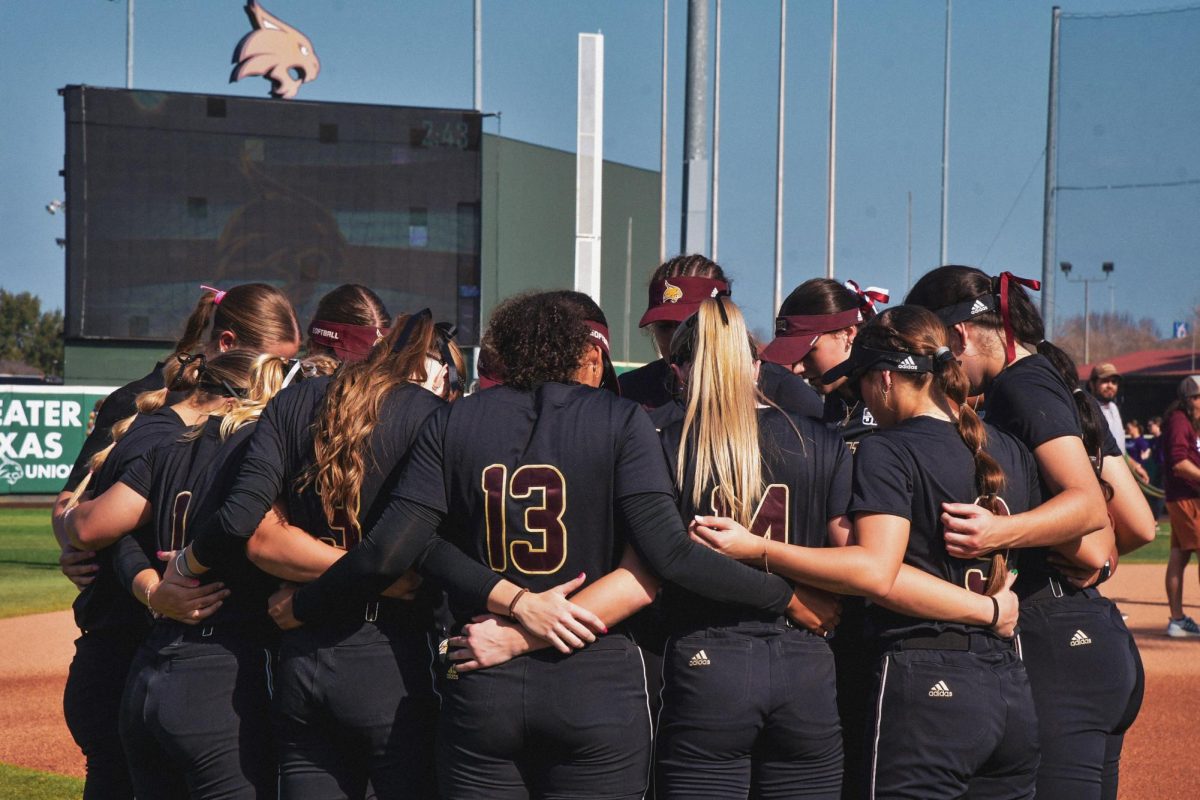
[31,581]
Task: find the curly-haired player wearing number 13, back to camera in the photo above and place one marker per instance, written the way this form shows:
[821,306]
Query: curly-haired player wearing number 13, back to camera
[539,479]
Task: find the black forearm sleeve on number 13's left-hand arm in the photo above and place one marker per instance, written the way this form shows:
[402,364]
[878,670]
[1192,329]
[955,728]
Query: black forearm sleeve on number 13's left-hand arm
[386,554]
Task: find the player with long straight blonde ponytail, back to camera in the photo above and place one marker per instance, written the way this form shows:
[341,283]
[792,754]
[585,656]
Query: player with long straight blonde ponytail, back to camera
[748,700]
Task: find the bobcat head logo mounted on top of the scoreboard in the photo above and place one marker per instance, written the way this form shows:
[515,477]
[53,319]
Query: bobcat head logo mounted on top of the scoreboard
[275,51]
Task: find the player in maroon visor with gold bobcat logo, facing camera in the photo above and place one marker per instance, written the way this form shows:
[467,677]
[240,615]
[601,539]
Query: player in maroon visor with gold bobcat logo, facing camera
[676,292]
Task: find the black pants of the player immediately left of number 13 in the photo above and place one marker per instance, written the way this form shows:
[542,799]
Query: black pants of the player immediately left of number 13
[355,712]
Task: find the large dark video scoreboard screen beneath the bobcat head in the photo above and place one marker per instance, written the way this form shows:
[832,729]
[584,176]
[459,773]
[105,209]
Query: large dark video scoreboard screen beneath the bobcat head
[167,191]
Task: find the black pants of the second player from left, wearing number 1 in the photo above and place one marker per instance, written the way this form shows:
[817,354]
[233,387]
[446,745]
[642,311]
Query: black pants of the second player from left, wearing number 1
[196,717]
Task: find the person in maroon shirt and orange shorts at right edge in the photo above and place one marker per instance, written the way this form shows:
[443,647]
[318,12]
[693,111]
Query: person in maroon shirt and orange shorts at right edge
[1181,474]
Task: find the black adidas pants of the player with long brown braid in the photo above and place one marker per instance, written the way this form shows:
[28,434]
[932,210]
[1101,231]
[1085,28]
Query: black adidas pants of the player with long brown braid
[953,724]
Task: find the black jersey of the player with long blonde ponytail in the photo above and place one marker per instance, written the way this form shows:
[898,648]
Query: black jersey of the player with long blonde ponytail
[807,471]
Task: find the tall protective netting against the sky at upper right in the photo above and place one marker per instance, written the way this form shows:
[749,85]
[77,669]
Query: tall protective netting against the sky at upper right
[1129,172]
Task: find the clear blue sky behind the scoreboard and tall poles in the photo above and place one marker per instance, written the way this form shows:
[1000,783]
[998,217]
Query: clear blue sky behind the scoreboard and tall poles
[890,121]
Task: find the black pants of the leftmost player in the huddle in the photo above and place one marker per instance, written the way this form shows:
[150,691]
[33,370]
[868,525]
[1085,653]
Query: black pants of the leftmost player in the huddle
[92,705]
